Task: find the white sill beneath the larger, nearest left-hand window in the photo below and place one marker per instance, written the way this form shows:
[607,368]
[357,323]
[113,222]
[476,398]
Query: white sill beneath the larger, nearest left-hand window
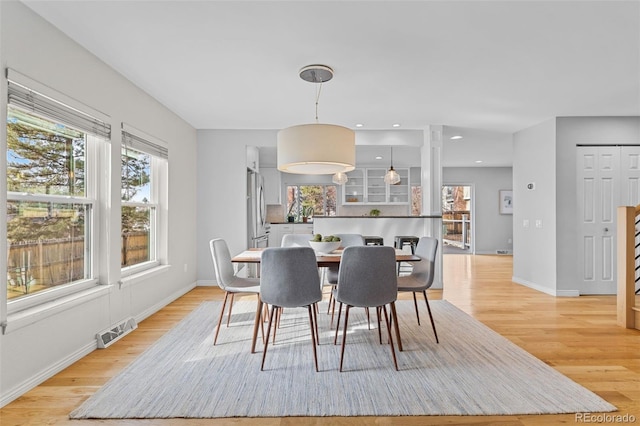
[28,316]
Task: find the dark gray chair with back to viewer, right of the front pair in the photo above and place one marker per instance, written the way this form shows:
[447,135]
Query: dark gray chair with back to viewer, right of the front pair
[367,278]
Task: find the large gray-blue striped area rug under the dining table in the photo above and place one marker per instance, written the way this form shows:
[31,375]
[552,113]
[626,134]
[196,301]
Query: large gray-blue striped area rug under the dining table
[472,371]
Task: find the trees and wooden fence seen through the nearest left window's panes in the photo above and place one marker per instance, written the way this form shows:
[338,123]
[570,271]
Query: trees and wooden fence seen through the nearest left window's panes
[47,208]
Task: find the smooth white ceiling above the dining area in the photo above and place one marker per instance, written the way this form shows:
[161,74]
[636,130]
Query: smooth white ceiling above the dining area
[483,68]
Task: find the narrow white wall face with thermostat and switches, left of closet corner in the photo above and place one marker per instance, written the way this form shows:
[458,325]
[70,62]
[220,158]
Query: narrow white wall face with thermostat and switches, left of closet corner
[534,248]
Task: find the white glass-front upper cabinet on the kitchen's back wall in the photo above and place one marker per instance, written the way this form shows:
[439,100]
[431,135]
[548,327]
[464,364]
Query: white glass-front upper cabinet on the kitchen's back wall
[367,186]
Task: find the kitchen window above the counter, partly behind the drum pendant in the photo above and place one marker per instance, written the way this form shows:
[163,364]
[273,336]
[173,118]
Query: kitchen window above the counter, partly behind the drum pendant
[319,199]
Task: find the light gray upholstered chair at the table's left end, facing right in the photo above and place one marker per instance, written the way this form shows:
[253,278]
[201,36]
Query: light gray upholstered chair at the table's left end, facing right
[231,284]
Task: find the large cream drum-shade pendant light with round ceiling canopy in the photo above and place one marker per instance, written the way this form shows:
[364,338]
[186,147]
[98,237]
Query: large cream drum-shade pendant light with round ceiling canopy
[316,149]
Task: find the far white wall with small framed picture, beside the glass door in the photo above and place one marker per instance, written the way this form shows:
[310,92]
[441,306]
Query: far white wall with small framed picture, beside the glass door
[492,229]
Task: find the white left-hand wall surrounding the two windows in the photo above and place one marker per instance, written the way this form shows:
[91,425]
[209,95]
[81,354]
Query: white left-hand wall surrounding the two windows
[34,352]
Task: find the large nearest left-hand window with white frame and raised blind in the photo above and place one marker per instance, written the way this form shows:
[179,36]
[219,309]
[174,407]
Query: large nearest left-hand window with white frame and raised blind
[51,190]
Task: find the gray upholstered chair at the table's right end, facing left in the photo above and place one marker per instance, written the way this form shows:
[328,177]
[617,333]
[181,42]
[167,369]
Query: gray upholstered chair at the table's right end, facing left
[421,277]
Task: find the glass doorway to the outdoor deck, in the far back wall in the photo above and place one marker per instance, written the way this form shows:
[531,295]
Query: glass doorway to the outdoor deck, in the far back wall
[457,229]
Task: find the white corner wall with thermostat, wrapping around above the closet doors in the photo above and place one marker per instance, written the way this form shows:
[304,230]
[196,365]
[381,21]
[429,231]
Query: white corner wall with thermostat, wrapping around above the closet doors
[545,258]
